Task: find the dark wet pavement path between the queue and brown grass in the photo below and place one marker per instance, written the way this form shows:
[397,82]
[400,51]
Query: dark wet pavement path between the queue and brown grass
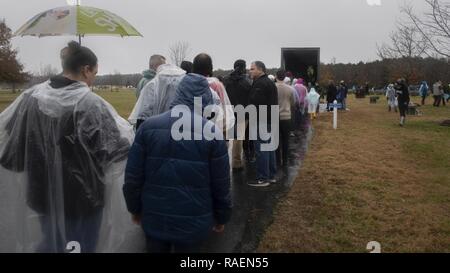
[253,207]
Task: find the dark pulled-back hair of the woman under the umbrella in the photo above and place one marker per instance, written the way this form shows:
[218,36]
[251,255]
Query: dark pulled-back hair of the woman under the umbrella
[78,56]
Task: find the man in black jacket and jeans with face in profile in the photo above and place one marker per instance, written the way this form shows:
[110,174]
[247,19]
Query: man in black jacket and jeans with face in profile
[263,93]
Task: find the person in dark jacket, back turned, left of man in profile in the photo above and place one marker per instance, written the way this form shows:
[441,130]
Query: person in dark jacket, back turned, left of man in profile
[238,88]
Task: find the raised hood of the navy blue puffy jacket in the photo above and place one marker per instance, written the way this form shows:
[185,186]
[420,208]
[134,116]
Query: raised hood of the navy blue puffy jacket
[193,85]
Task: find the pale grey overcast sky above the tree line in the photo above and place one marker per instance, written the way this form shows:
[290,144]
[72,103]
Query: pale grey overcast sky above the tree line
[226,29]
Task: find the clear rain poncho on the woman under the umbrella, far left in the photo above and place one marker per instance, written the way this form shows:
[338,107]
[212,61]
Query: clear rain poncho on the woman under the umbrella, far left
[62,158]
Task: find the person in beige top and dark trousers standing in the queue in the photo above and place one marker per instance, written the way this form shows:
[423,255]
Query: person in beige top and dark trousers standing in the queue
[286,105]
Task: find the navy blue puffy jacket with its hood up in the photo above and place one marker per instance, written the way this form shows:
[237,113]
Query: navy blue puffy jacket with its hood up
[180,188]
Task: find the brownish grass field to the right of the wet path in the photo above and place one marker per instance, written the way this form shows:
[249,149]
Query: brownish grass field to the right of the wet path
[370,180]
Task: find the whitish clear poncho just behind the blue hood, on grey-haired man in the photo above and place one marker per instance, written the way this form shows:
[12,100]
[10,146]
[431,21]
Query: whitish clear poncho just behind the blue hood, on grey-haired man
[157,95]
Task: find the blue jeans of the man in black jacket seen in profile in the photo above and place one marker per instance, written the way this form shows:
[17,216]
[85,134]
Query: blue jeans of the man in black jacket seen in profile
[266,163]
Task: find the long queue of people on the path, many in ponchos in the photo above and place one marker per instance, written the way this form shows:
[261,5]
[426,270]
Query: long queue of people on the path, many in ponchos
[72,169]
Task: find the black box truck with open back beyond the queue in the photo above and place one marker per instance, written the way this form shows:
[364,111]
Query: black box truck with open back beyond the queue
[302,62]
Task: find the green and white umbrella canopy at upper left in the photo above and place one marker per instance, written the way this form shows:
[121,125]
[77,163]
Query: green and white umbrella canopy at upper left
[77,20]
